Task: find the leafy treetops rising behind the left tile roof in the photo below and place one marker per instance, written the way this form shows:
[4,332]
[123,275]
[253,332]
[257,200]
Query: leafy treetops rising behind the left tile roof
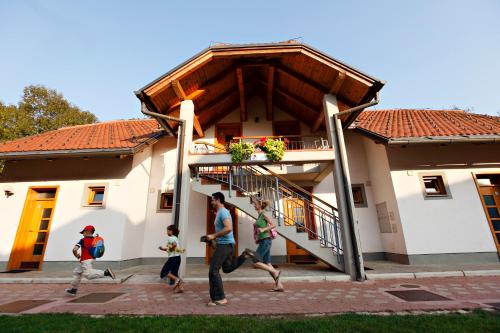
[40,110]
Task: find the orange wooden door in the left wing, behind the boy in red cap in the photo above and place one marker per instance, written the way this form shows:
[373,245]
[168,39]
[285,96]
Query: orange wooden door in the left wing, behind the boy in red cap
[33,231]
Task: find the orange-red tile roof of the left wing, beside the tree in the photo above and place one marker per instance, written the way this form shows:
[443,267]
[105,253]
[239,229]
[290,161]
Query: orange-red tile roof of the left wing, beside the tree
[120,134]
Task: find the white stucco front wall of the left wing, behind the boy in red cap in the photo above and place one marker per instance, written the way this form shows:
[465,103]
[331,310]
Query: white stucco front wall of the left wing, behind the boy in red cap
[119,222]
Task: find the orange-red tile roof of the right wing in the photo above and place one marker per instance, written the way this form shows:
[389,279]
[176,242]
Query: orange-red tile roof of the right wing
[408,123]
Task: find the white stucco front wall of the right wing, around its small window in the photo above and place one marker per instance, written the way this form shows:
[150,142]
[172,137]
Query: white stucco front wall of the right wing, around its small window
[455,225]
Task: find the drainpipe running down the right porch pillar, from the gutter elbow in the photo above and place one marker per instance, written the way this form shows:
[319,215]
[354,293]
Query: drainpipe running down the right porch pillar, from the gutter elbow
[346,181]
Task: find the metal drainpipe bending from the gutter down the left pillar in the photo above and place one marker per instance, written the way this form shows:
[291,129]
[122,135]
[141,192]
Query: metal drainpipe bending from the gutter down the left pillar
[162,119]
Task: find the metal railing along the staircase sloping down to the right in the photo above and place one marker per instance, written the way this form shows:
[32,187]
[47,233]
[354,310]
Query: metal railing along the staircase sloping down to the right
[289,204]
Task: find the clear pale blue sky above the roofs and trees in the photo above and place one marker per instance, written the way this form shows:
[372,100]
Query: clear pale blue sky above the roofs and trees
[431,53]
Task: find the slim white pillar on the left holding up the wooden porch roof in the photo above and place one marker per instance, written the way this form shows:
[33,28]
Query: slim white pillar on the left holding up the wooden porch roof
[184,178]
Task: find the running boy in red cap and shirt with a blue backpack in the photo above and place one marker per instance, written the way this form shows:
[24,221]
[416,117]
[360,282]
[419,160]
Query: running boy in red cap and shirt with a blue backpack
[90,248]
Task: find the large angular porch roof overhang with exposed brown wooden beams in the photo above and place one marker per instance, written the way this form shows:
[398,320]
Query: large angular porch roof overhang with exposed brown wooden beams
[291,76]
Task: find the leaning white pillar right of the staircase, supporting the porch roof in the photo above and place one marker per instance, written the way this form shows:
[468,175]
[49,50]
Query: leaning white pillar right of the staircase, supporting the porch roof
[353,258]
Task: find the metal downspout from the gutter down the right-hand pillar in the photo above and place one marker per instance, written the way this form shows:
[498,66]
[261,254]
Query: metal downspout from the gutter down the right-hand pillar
[343,160]
